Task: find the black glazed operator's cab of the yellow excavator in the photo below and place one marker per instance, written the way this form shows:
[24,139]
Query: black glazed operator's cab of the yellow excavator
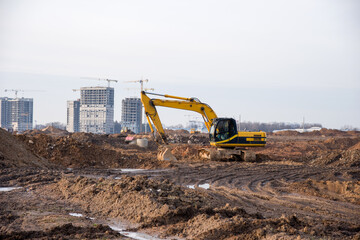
[223,129]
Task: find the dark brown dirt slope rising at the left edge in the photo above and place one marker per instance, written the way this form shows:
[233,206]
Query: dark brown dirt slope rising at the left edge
[14,153]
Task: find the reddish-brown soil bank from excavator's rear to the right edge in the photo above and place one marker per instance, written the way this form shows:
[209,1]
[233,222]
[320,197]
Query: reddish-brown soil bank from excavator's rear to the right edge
[333,151]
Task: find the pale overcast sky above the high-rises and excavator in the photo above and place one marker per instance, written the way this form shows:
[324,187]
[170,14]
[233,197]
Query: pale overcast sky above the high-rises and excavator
[268,61]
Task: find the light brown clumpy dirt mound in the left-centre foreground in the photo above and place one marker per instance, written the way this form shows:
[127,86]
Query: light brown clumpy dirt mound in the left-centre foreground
[136,198]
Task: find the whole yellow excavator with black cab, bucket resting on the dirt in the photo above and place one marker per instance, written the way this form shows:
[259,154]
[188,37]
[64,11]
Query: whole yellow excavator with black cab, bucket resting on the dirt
[229,143]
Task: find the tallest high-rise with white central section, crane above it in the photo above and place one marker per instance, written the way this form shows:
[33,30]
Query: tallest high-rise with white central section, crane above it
[97,109]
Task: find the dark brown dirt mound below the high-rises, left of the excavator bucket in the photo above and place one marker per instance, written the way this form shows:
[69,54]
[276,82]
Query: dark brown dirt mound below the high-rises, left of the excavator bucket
[89,150]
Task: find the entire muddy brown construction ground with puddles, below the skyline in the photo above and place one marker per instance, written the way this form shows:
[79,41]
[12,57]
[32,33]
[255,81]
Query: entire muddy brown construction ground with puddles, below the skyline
[60,185]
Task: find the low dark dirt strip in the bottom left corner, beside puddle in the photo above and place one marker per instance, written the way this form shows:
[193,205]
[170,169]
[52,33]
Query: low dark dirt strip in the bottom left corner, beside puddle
[66,231]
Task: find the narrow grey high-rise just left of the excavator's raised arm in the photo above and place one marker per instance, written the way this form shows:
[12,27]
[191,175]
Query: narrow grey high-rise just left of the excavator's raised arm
[131,114]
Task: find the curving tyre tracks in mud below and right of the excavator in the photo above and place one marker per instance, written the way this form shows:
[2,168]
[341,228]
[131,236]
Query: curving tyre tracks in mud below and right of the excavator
[265,188]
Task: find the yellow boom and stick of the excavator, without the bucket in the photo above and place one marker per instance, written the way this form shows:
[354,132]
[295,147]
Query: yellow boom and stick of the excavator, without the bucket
[190,104]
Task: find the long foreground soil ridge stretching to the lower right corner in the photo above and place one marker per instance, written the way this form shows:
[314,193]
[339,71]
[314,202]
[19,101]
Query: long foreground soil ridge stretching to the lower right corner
[176,211]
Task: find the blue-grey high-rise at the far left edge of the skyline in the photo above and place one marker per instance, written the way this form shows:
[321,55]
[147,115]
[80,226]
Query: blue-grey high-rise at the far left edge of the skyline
[16,114]
